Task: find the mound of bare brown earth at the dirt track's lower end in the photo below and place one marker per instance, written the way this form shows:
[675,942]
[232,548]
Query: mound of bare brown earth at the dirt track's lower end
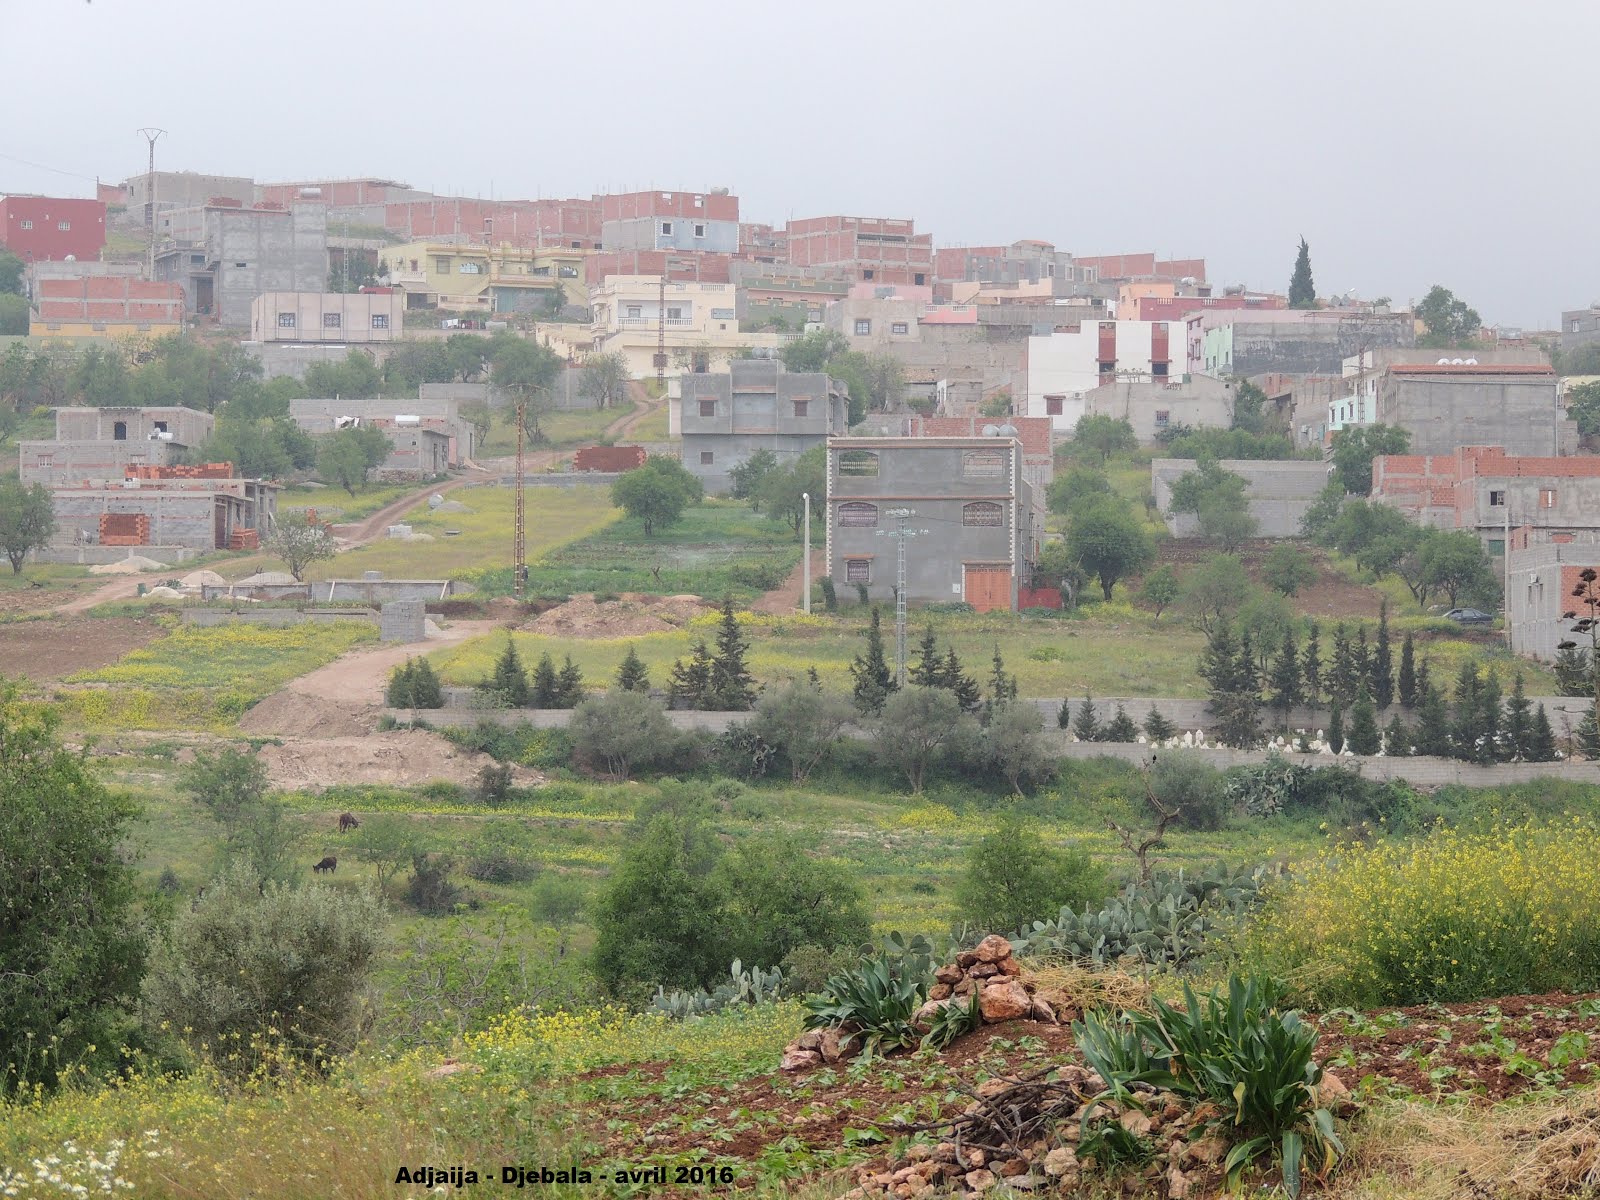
[399,759]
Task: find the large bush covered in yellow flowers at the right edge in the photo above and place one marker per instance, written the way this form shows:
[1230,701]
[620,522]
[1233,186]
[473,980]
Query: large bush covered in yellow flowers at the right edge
[1457,916]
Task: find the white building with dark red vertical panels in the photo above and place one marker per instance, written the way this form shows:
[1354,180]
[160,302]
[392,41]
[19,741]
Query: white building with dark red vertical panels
[1068,364]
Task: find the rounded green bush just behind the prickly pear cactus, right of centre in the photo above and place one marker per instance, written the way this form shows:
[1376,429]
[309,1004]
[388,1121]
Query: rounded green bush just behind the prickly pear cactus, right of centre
[1014,878]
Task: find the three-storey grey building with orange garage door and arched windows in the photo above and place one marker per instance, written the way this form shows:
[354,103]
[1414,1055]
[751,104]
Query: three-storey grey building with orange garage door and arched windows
[972,514]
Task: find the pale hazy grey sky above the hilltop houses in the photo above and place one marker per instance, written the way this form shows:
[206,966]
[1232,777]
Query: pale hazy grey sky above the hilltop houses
[1410,142]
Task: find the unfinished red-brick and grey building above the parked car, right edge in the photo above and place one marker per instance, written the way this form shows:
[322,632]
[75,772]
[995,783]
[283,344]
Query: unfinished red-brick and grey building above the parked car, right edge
[1487,490]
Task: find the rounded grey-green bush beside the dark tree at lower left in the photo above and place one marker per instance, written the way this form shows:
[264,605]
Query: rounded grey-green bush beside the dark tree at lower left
[250,959]
